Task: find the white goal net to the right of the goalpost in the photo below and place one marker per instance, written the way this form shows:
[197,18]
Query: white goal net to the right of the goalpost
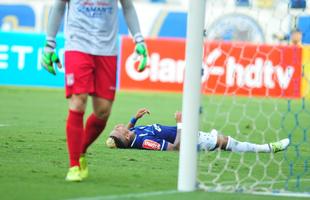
[255,89]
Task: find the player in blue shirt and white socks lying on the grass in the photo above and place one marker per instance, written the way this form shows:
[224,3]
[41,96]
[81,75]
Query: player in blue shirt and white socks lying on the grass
[160,137]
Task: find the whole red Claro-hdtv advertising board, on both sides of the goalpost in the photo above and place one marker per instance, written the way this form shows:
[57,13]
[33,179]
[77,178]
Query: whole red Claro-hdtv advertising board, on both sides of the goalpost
[229,68]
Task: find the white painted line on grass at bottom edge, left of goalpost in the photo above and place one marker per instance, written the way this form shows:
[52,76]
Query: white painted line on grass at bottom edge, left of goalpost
[127,196]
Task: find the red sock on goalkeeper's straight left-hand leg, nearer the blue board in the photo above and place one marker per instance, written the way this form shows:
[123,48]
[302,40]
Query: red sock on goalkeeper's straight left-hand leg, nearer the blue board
[74,130]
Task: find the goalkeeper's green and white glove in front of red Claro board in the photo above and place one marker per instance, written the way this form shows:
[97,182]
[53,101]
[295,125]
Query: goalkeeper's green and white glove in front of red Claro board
[141,51]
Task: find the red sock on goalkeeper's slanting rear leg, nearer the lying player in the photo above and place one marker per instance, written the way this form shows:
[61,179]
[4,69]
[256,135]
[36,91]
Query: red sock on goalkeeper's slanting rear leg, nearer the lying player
[94,127]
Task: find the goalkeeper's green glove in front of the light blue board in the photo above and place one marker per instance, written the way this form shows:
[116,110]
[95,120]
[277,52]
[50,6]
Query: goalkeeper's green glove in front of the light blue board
[49,57]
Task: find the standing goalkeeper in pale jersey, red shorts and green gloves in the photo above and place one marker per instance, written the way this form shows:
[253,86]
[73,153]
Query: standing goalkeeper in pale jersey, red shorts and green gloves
[91,35]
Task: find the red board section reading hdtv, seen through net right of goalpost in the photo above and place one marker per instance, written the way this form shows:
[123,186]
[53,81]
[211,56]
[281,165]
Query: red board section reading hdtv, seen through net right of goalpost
[248,69]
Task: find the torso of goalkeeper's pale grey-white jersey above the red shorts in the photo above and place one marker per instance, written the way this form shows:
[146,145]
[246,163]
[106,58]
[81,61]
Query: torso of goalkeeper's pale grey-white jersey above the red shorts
[91,26]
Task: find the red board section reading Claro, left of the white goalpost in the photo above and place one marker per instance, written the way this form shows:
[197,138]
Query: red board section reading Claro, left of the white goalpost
[165,66]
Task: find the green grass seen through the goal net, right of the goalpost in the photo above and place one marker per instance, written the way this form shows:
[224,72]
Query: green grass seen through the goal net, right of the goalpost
[259,120]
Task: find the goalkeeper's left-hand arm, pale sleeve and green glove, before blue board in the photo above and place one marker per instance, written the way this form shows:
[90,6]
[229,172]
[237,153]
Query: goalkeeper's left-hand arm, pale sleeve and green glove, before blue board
[49,57]
